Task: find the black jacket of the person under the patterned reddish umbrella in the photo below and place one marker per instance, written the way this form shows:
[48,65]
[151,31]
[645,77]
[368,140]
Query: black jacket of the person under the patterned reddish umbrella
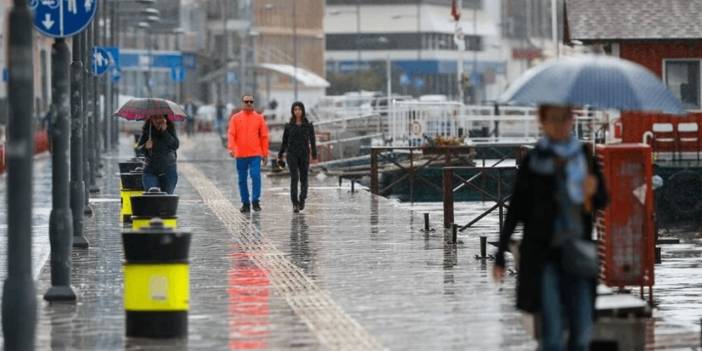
[163,153]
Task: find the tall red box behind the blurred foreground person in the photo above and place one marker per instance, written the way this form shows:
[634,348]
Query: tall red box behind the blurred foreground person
[625,229]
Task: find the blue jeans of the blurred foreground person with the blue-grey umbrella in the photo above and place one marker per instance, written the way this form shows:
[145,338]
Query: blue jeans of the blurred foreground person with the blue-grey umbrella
[566,300]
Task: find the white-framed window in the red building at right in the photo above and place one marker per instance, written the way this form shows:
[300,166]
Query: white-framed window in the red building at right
[683,79]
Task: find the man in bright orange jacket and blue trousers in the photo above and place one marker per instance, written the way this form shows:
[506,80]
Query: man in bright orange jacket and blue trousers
[248,143]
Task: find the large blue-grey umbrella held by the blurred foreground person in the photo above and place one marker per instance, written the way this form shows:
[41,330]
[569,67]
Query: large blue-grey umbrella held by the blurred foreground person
[602,82]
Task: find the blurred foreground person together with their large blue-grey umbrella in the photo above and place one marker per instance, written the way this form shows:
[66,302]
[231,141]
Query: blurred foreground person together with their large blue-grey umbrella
[559,186]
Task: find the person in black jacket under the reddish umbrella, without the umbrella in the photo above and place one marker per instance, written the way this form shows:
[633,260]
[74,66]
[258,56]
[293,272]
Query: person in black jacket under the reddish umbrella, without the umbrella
[159,142]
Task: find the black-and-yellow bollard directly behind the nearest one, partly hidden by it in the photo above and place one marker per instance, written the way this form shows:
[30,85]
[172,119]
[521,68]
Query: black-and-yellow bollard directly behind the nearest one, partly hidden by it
[151,204]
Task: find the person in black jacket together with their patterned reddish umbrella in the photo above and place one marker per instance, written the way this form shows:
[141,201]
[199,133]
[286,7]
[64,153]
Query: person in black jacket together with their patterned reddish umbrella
[159,141]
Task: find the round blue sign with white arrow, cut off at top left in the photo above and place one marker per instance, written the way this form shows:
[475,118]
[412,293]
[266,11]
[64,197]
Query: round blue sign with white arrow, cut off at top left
[62,18]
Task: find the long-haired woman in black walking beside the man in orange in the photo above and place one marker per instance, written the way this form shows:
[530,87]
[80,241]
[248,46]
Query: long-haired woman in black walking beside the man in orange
[298,143]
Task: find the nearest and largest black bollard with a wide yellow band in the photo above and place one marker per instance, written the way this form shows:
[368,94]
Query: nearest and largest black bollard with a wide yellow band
[156,281]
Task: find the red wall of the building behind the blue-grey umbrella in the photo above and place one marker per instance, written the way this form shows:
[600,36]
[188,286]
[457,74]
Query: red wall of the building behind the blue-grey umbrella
[651,55]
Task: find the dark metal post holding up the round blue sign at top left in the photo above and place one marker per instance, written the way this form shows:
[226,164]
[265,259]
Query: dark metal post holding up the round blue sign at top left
[60,220]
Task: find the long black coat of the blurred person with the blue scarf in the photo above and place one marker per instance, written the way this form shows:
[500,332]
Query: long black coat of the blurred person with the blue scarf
[534,205]
